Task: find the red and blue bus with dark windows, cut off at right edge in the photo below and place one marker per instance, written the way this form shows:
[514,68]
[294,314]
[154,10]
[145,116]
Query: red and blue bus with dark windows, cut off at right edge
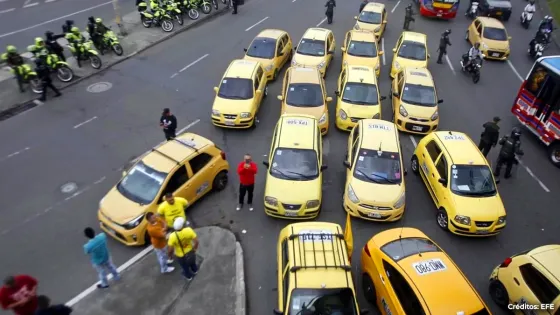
[537,105]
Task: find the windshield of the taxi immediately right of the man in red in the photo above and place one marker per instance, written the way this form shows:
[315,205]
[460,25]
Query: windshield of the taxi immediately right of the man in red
[295,164]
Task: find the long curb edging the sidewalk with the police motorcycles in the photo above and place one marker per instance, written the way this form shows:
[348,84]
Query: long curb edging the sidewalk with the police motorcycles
[20,107]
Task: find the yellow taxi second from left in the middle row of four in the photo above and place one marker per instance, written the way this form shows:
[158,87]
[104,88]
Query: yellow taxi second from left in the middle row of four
[304,92]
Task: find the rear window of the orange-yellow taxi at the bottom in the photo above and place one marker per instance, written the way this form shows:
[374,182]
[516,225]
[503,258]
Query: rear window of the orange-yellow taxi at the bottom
[404,247]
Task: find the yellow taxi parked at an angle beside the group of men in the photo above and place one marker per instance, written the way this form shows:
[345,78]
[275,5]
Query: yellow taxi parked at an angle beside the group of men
[189,166]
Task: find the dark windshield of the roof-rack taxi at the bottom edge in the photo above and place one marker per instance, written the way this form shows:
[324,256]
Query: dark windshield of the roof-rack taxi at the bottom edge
[322,301]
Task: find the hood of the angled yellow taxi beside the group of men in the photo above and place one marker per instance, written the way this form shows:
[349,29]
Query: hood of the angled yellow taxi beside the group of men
[119,208]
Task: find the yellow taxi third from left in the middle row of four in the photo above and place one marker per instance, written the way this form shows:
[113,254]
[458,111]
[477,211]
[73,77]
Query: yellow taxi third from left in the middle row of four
[357,96]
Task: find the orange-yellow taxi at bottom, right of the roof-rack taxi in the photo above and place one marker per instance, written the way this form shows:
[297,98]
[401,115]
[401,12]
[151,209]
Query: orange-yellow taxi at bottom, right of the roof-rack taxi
[405,272]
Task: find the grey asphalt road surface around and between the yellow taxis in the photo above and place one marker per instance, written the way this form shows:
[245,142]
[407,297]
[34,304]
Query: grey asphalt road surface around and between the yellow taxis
[41,227]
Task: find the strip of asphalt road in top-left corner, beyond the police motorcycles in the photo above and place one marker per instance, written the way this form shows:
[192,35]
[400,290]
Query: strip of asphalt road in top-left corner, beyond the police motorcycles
[23,20]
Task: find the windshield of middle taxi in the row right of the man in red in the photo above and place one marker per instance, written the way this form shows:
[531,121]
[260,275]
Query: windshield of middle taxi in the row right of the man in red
[378,167]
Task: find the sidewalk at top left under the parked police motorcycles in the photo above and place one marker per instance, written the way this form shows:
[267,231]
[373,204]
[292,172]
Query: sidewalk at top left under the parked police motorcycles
[138,39]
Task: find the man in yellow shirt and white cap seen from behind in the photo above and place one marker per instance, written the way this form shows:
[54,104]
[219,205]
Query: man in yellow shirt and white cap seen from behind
[183,244]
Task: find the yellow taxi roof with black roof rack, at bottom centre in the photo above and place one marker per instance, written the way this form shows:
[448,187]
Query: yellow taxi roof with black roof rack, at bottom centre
[321,262]
